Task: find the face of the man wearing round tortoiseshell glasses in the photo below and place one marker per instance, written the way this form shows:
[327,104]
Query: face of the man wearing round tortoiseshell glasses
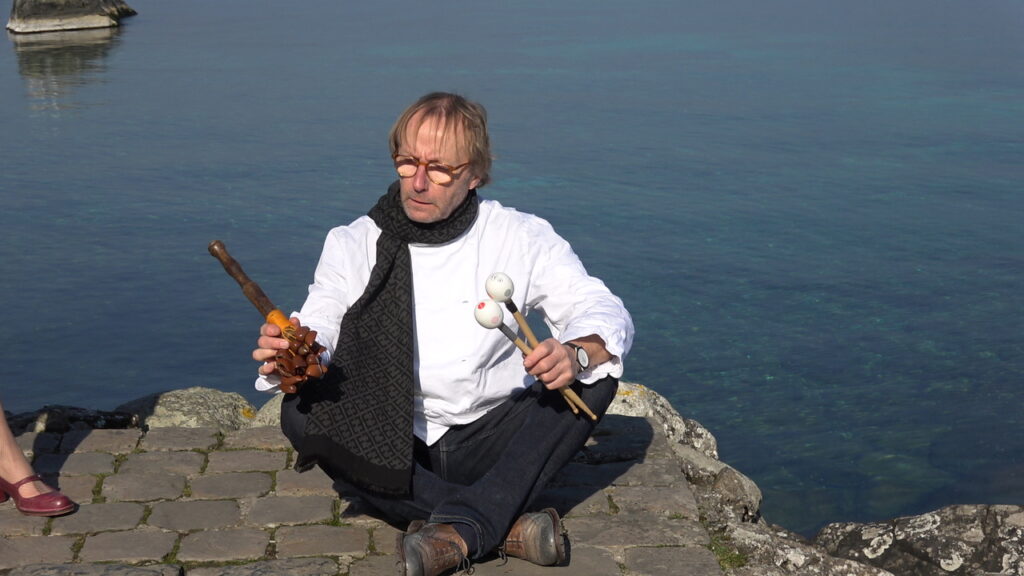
[424,201]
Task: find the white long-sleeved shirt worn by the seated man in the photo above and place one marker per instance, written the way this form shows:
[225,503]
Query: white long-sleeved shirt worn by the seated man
[462,369]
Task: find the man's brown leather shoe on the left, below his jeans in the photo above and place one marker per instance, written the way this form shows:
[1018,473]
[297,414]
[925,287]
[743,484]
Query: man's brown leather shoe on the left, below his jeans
[433,550]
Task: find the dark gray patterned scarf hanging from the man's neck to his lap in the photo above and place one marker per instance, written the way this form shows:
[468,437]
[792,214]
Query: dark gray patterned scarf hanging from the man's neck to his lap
[361,416]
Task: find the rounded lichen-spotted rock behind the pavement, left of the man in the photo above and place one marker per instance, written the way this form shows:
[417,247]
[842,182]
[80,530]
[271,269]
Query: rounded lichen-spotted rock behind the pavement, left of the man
[192,408]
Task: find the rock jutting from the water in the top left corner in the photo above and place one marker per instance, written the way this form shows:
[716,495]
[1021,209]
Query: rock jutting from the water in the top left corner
[53,16]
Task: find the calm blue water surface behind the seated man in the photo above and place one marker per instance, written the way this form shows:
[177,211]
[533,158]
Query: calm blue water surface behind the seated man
[814,210]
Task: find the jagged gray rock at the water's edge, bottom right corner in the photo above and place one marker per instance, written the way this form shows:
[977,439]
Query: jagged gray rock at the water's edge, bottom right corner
[956,541]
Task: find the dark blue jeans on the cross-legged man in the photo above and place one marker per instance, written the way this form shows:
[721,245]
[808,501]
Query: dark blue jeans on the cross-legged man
[481,477]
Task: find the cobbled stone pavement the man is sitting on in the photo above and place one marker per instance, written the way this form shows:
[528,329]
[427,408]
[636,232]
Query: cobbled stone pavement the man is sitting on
[198,503]
